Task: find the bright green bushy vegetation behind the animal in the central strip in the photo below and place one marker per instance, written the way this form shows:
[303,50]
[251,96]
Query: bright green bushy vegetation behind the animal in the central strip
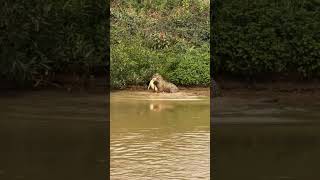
[168,37]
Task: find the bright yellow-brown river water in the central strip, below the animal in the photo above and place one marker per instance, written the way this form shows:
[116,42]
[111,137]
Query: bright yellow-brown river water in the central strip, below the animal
[159,139]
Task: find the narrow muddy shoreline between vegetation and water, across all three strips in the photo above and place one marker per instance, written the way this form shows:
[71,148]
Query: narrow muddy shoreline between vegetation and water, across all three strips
[229,88]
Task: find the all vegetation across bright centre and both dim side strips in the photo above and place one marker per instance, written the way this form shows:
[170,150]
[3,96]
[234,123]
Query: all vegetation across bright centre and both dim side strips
[44,38]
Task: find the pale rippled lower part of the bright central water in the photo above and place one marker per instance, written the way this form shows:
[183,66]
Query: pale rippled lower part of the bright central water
[180,156]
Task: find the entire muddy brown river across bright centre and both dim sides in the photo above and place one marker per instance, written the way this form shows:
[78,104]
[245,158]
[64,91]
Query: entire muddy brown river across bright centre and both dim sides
[57,135]
